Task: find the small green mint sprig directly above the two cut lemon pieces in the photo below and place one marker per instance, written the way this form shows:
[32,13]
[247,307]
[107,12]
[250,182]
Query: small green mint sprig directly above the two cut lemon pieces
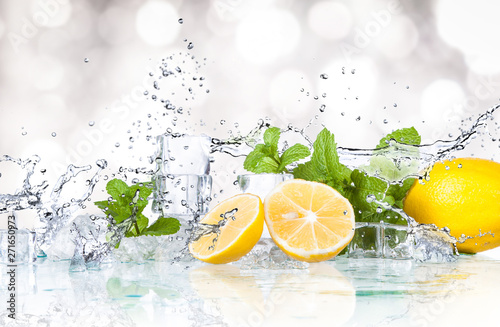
[265,158]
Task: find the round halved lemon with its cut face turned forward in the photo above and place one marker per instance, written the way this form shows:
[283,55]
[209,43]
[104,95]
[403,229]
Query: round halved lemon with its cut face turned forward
[309,221]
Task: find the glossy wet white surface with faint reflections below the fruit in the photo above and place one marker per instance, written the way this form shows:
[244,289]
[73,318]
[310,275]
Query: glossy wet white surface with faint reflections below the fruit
[344,292]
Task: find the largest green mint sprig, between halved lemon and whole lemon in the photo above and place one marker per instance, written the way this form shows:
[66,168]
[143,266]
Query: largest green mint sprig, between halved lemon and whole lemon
[356,185]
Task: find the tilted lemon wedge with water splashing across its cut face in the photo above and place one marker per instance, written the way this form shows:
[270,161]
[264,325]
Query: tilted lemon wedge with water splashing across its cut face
[237,236]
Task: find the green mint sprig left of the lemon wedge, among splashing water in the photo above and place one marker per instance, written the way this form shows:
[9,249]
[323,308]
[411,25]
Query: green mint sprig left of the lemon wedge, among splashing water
[128,202]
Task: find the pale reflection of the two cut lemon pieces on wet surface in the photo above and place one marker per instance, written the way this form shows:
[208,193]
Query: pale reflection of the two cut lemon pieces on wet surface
[319,296]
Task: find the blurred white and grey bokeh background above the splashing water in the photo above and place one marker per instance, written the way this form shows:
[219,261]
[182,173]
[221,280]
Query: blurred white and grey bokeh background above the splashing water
[73,74]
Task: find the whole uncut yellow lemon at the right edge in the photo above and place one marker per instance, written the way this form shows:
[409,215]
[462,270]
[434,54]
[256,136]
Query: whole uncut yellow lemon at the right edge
[463,195]
